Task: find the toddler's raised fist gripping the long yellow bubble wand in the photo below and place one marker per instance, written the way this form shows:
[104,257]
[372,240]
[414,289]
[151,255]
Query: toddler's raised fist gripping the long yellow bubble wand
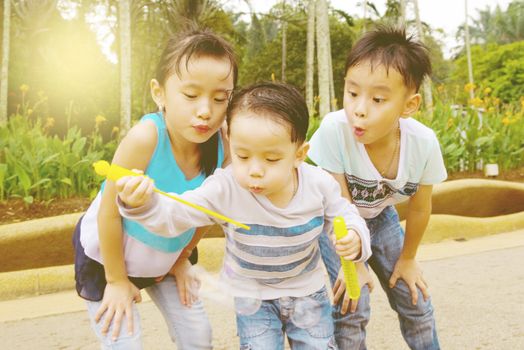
[134,191]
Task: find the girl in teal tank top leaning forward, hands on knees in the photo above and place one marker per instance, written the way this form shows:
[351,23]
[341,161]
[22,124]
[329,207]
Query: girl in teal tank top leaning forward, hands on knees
[178,147]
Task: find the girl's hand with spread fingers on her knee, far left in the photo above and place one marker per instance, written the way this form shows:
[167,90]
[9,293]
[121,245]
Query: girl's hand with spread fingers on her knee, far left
[116,304]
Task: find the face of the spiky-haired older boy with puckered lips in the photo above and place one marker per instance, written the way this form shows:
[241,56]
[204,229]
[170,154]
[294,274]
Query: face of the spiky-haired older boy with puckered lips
[374,100]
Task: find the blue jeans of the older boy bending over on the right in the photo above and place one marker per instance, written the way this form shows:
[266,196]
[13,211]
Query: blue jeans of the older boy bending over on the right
[417,322]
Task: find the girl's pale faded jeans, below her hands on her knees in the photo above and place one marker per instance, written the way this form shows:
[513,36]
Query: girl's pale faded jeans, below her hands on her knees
[189,328]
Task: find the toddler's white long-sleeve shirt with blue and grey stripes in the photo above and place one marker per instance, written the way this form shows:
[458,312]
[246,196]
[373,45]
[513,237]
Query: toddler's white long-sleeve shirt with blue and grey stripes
[279,256]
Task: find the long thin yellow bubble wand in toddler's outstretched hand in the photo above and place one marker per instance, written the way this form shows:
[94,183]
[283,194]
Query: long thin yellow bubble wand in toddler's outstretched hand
[115,172]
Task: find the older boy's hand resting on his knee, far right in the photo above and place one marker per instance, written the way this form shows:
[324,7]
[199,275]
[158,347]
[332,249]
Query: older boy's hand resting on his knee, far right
[410,272]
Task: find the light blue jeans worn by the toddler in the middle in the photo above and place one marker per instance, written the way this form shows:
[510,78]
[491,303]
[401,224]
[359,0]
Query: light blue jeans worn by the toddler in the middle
[265,328]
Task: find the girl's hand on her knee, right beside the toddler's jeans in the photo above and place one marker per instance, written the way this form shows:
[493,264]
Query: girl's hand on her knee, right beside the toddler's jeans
[187,281]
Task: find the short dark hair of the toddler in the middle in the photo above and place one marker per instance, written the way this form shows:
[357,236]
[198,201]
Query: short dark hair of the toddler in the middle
[282,102]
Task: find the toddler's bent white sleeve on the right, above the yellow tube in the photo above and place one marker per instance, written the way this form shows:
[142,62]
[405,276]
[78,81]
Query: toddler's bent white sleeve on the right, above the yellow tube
[336,205]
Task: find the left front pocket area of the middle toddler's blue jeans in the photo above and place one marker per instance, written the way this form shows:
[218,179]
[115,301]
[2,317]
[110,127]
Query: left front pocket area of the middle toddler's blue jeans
[253,325]
